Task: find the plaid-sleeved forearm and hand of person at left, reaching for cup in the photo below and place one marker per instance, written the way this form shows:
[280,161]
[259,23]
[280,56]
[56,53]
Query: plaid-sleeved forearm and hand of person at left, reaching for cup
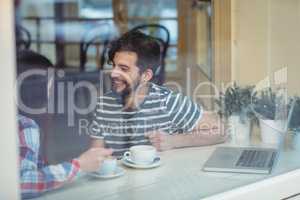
[35,181]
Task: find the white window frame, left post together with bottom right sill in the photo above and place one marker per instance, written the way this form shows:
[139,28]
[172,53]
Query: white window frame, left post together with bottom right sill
[281,186]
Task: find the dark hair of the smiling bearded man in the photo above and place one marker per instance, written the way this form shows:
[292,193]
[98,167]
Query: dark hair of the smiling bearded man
[146,47]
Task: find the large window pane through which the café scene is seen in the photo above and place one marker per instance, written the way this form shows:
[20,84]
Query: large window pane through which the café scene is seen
[62,49]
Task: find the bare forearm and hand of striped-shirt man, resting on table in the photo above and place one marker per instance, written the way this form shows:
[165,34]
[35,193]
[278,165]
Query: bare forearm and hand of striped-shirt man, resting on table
[209,130]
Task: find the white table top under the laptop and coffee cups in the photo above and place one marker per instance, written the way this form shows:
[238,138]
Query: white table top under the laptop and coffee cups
[179,177]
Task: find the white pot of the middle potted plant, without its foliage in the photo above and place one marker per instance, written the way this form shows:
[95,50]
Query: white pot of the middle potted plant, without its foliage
[272,131]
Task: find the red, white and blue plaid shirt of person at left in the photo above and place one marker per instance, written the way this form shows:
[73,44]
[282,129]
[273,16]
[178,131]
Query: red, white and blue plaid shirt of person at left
[35,177]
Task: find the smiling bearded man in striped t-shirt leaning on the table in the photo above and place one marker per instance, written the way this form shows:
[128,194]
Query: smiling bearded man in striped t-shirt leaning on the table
[138,111]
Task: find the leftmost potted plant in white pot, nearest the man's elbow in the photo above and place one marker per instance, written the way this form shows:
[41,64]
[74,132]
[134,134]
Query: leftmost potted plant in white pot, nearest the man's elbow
[235,106]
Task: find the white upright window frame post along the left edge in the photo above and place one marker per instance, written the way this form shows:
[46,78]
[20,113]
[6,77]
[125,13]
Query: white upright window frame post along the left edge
[9,171]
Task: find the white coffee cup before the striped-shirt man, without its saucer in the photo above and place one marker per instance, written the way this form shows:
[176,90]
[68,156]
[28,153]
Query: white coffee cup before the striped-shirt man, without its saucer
[141,154]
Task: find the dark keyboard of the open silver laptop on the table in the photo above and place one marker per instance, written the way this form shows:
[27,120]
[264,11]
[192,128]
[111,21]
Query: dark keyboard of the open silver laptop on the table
[253,159]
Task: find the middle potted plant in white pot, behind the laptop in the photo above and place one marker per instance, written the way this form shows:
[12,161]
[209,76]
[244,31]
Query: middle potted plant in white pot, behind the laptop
[272,120]
